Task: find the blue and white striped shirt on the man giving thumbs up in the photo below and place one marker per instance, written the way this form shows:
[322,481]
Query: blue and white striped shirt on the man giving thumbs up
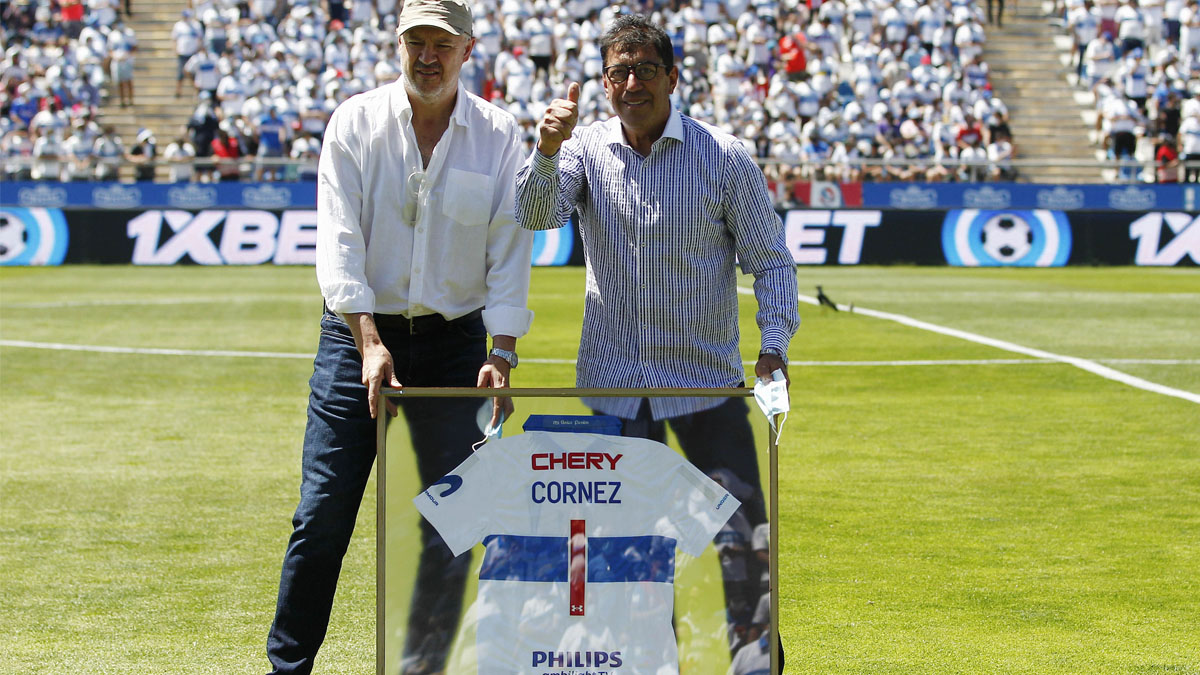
[662,236]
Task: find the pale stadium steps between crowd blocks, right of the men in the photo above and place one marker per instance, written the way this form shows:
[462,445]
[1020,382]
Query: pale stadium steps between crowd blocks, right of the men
[1029,77]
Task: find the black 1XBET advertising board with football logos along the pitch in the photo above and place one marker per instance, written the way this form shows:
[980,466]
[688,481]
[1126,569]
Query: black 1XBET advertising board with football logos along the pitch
[41,236]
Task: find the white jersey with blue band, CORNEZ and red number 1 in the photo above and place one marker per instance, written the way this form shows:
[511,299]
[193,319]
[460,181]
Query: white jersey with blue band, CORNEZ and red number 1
[580,533]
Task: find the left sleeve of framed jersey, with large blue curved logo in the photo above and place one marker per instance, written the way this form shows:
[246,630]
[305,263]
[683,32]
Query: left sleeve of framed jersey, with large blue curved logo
[459,504]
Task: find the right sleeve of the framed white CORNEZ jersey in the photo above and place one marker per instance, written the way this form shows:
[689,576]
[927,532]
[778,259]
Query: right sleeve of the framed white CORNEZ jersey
[701,507]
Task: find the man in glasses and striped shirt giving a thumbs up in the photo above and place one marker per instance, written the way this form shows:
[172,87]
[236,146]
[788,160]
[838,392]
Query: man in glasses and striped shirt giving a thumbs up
[667,207]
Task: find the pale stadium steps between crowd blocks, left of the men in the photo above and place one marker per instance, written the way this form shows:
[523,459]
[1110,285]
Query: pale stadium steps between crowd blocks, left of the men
[155,106]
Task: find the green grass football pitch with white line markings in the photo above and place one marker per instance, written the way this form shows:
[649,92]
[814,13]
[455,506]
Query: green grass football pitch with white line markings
[943,510]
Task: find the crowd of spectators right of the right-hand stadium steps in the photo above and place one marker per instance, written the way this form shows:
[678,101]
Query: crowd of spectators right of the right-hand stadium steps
[1142,61]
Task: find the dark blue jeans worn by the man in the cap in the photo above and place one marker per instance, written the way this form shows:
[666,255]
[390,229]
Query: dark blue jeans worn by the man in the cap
[339,452]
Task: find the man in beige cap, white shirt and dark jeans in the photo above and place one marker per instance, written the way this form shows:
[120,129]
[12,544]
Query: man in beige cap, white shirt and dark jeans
[419,258]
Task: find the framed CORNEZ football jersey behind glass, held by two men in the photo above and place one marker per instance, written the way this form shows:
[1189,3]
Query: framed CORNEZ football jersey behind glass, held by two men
[561,547]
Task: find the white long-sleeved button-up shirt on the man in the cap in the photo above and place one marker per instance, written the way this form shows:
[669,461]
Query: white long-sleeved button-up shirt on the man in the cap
[394,237]
